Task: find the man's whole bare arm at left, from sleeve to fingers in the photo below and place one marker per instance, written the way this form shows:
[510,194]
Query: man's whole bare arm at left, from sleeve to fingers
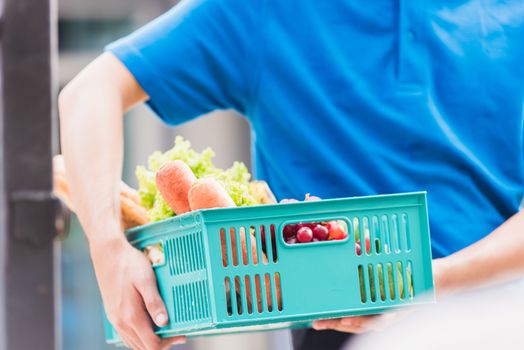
[91,117]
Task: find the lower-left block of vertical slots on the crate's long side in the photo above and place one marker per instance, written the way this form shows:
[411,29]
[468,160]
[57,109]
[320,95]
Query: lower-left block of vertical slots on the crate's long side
[253,294]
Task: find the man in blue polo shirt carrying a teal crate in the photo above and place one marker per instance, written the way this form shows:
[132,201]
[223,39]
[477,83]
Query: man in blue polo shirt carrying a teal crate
[345,98]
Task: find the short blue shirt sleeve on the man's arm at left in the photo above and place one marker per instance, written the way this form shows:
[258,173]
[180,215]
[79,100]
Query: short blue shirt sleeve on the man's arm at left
[194,58]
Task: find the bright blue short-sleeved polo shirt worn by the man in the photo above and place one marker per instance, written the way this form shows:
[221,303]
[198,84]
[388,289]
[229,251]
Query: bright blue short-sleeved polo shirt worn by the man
[350,98]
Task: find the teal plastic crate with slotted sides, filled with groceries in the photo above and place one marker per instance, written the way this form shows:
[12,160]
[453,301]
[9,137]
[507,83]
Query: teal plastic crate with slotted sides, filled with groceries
[206,294]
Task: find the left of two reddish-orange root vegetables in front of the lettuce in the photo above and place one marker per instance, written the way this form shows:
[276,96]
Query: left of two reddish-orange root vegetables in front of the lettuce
[173,180]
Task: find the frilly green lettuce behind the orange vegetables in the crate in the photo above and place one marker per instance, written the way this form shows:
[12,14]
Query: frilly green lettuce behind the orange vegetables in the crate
[234,179]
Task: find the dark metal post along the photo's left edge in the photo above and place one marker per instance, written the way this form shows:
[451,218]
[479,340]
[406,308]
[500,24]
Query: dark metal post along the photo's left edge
[27,209]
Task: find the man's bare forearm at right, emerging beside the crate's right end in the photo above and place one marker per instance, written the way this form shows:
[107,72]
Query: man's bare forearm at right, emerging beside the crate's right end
[497,258]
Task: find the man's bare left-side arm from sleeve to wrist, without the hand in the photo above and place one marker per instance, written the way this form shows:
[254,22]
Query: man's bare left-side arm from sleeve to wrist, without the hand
[91,114]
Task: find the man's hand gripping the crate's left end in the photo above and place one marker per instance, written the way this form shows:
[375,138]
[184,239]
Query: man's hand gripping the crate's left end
[130,295]
